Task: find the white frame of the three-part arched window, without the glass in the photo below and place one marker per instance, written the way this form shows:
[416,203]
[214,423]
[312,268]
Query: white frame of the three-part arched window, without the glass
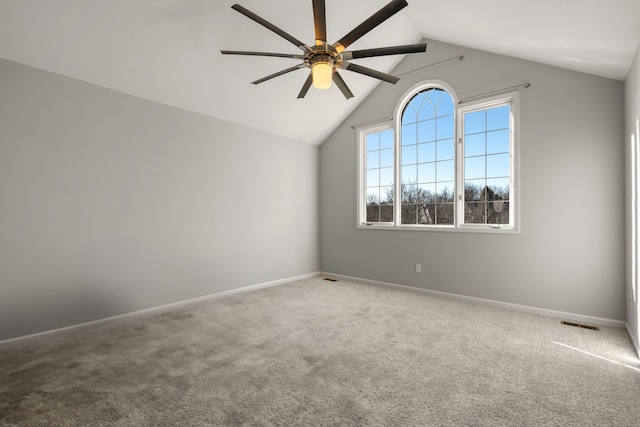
[460,109]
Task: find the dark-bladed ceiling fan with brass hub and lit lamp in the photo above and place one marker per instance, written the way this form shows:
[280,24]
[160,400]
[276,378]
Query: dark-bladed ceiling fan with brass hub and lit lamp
[325,59]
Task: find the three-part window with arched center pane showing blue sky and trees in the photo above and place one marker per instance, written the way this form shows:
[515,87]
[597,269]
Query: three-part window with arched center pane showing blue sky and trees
[453,166]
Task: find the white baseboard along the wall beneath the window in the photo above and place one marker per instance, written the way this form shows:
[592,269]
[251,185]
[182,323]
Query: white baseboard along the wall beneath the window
[601,321]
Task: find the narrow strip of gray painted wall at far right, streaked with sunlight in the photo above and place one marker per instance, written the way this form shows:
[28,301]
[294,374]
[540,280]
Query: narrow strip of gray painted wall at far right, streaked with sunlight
[632,137]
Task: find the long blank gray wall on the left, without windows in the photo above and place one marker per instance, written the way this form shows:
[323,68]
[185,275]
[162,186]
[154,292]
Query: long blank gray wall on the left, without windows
[111,204]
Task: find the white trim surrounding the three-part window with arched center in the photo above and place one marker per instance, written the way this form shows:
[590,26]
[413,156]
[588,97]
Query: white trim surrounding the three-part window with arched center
[395,124]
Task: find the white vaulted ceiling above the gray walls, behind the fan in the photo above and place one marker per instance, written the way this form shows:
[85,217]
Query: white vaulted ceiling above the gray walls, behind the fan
[168,50]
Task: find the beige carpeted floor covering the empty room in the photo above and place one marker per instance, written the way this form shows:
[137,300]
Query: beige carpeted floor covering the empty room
[322,353]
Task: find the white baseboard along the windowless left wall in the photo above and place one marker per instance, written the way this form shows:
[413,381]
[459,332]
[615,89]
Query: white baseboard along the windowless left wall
[17,341]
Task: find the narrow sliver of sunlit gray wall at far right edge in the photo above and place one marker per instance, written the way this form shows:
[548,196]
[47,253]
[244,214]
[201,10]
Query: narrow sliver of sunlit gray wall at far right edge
[632,123]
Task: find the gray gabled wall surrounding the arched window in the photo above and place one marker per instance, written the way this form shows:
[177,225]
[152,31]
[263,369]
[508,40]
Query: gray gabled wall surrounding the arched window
[569,255]
